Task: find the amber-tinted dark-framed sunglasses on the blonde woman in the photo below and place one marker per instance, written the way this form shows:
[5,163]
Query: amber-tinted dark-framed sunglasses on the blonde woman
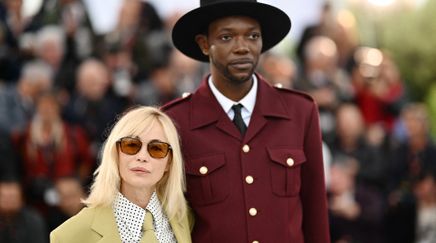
[155,148]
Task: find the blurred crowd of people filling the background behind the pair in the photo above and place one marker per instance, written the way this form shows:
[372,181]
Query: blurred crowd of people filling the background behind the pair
[62,86]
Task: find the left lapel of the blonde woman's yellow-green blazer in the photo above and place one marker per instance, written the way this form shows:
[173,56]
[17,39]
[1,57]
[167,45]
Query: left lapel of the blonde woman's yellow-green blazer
[105,225]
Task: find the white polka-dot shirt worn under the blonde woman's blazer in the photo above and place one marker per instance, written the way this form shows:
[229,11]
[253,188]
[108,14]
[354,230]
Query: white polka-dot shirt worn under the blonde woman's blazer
[130,218]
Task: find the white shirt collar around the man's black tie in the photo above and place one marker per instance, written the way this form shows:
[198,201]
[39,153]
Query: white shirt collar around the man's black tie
[248,101]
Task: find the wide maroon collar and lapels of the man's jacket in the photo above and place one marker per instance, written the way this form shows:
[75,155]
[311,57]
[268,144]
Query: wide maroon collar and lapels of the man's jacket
[206,110]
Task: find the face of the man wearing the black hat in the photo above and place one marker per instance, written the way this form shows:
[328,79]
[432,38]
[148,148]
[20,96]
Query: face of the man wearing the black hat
[234,45]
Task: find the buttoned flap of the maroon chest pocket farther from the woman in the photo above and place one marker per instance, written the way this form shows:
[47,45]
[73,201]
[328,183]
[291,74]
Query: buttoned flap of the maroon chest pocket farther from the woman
[287,157]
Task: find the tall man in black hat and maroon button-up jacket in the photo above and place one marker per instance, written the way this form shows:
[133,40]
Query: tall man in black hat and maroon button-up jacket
[263,182]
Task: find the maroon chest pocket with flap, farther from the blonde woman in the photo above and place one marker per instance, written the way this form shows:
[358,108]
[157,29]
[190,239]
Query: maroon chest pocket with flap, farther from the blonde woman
[286,170]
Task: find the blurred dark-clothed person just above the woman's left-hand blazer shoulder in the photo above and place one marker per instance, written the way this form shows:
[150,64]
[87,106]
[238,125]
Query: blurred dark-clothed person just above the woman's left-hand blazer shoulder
[69,195]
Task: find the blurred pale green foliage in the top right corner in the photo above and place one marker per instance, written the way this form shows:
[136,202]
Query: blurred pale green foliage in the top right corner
[409,35]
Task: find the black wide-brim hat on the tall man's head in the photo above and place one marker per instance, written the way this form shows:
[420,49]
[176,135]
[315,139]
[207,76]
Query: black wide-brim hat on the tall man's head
[275,24]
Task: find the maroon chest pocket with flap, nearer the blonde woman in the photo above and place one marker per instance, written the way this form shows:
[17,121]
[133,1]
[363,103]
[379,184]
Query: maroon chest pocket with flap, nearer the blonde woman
[207,179]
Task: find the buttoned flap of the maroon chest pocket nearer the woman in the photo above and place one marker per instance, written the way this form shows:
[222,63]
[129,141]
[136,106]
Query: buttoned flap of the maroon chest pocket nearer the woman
[204,165]
